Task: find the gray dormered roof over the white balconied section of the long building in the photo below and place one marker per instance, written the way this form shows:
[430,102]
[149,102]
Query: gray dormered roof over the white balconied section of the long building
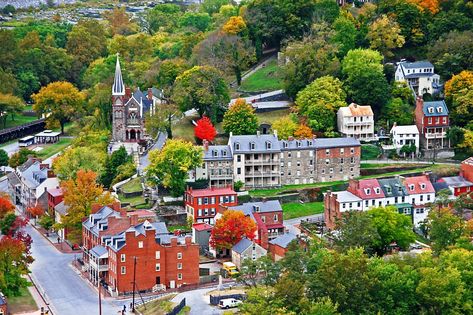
[261,144]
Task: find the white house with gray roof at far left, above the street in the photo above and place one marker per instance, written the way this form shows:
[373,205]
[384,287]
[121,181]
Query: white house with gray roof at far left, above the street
[28,182]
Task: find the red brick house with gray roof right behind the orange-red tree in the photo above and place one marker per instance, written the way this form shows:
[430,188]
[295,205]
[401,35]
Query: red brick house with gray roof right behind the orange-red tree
[268,217]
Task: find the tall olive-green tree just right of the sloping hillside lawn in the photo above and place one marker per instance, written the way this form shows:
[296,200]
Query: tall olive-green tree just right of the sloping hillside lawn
[312,57]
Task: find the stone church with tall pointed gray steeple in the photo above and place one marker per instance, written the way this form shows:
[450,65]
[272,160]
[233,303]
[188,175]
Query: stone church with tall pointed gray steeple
[129,110]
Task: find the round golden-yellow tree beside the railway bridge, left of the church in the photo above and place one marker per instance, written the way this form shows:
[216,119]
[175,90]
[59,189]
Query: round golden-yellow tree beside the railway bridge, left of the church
[60,101]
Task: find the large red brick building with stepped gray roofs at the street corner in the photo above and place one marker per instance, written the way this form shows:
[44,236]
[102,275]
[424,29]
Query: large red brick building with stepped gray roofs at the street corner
[119,248]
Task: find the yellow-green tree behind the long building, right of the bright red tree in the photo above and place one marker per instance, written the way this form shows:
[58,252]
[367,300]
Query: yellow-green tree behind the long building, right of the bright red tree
[240,119]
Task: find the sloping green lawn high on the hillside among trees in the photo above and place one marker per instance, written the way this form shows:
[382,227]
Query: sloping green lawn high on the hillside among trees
[268,78]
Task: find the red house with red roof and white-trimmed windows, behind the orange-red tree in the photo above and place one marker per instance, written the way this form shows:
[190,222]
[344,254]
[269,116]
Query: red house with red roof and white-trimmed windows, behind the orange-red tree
[202,204]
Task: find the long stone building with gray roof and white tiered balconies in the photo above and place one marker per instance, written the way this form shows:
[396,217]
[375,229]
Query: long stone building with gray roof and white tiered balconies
[265,161]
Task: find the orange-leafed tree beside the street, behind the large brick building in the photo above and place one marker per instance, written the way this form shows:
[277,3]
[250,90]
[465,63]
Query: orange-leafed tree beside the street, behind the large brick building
[79,195]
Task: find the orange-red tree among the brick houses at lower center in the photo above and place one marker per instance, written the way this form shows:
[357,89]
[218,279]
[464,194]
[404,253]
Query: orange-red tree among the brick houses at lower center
[231,228]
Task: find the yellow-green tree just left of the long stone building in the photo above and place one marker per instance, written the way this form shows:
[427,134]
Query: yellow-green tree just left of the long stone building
[170,165]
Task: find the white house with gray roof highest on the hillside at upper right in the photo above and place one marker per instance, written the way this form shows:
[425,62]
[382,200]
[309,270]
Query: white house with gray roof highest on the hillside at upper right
[419,76]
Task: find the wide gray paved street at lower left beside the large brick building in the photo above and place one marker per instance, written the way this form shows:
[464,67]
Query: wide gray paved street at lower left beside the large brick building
[66,291]
